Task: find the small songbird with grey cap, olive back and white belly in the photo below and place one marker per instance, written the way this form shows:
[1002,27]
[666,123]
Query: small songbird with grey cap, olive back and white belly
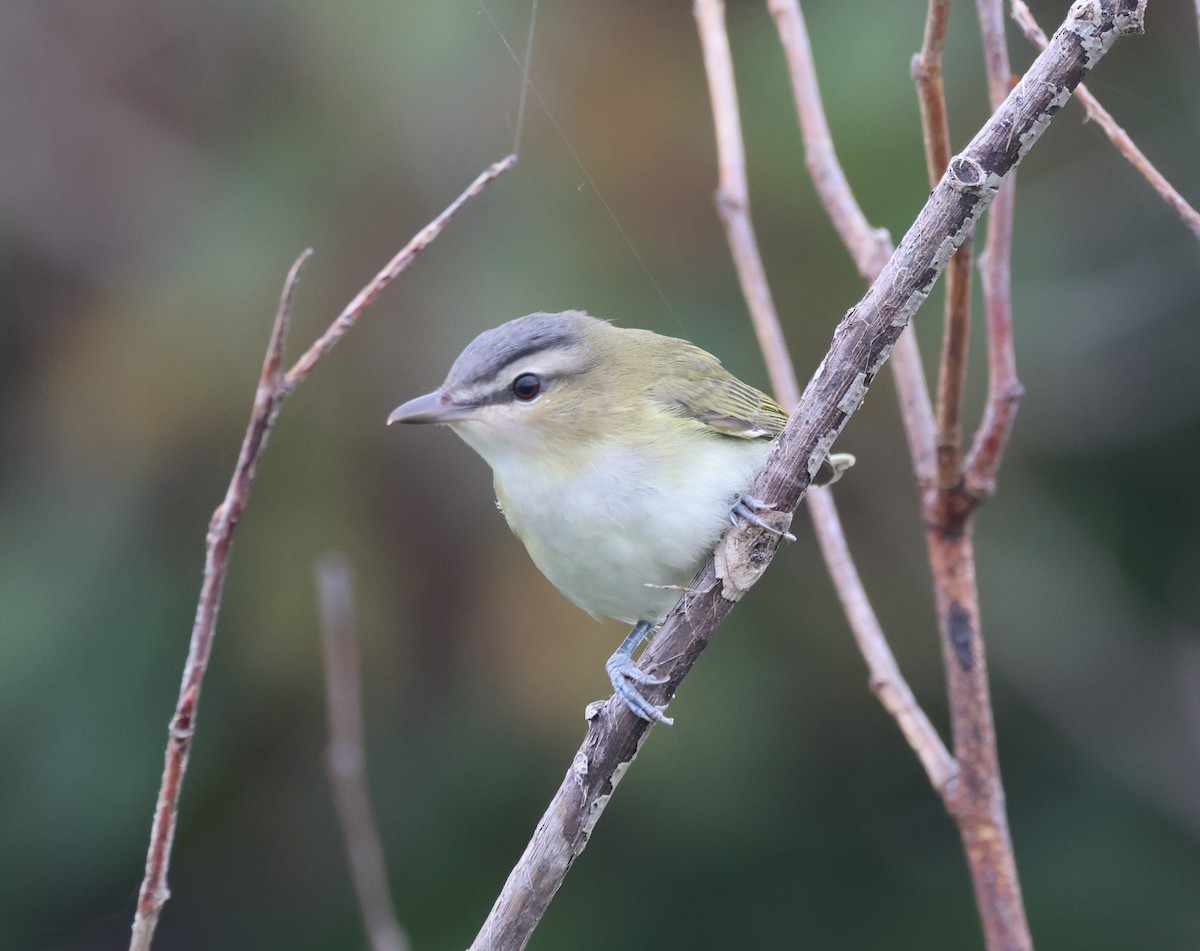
[620,458]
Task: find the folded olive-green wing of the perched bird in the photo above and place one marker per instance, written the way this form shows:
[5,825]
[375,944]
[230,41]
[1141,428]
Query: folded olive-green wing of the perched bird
[695,386]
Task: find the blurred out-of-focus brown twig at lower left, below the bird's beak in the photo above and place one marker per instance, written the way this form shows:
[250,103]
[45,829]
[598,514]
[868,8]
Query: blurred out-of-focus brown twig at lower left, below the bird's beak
[347,756]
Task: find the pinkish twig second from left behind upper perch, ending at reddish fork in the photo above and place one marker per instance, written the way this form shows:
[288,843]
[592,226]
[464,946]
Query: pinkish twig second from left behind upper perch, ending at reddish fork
[869,248]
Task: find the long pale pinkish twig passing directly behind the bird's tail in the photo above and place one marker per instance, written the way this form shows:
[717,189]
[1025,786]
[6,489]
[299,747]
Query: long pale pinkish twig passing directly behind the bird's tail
[745,250]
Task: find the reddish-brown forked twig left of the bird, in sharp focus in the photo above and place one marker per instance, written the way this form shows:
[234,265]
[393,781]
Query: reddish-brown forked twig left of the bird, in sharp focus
[273,388]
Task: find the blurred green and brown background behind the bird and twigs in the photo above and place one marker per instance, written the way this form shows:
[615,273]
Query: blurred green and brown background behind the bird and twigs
[163,164]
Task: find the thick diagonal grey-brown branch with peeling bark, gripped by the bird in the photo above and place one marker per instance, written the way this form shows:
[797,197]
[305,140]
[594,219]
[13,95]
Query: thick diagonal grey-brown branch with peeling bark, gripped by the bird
[861,345]
